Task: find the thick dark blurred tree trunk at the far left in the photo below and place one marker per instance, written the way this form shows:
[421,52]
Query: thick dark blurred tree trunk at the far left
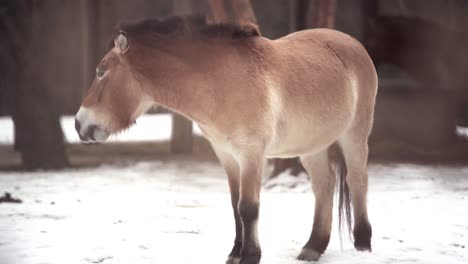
[37,126]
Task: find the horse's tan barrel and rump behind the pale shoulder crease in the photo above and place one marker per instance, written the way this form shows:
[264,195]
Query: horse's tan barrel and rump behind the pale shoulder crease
[326,81]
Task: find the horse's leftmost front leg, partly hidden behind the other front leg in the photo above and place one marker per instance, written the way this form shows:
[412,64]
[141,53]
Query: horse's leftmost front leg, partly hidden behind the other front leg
[232,170]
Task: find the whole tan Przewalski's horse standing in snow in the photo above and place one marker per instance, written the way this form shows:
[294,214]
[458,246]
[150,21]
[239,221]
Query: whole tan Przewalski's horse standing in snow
[310,94]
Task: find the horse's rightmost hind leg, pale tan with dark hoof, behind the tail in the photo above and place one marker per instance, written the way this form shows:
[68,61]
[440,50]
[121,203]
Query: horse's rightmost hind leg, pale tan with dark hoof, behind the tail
[355,151]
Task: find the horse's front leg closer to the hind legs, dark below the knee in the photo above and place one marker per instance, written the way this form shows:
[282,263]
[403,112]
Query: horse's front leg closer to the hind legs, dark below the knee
[251,168]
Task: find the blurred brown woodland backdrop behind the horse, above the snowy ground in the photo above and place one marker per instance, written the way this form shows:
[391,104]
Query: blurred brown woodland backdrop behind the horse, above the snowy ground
[49,51]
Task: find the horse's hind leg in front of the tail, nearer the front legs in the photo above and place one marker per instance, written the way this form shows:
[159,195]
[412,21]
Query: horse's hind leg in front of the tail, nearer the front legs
[323,184]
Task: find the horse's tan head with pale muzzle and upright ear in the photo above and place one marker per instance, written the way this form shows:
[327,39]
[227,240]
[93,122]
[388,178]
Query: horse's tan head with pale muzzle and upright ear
[115,98]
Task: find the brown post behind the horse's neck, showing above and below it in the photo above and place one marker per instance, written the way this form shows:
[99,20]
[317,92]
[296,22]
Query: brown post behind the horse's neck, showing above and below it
[182,135]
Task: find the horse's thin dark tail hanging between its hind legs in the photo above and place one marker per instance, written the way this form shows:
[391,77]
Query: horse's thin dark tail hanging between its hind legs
[344,196]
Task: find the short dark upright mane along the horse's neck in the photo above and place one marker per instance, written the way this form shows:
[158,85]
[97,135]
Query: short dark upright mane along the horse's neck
[191,25]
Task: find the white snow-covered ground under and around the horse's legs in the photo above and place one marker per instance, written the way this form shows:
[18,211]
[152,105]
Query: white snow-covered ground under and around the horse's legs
[179,212]
